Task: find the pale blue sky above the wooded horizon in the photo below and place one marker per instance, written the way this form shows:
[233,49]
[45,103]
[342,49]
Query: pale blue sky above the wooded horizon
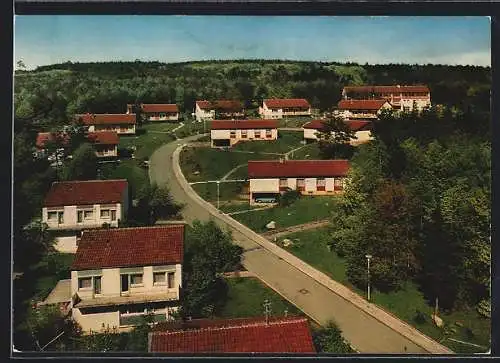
[42,40]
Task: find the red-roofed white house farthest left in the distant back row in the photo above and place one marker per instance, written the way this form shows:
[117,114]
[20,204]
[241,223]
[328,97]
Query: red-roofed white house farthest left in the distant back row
[121,123]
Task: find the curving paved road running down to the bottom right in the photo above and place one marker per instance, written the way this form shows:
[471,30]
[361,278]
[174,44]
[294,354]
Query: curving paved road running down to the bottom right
[363,331]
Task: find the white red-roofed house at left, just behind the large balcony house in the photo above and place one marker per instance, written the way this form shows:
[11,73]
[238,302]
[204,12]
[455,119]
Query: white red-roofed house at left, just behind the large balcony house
[71,206]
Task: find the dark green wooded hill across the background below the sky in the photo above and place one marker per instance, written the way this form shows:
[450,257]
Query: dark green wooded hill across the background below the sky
[54,93]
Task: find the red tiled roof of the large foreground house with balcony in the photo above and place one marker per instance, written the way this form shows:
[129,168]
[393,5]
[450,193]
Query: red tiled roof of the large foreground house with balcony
[127,247]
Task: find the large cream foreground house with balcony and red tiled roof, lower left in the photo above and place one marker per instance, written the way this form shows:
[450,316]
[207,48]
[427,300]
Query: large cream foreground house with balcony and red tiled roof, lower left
[121,274]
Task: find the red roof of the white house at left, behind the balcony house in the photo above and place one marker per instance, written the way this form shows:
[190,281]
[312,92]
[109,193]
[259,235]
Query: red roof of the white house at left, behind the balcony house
[85,192]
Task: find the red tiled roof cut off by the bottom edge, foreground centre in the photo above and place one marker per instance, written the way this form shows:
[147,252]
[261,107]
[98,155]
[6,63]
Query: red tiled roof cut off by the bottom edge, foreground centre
[284,335]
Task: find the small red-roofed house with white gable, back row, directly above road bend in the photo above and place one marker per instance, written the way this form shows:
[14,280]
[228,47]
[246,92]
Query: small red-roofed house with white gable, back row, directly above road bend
[220,109]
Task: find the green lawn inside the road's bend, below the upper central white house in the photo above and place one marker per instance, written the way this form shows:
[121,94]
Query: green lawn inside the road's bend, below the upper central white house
[213,164]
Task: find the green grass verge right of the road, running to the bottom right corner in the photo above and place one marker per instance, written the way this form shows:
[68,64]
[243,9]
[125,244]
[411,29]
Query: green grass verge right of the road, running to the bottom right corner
[312,248]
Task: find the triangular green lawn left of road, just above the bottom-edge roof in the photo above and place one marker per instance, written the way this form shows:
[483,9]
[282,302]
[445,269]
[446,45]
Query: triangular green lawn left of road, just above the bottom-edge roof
[246,297]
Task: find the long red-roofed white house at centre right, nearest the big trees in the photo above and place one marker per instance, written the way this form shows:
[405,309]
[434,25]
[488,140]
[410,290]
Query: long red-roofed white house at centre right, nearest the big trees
[270,178]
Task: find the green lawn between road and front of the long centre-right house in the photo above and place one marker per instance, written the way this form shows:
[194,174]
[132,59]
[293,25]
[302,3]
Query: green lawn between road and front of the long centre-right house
[306,209]
